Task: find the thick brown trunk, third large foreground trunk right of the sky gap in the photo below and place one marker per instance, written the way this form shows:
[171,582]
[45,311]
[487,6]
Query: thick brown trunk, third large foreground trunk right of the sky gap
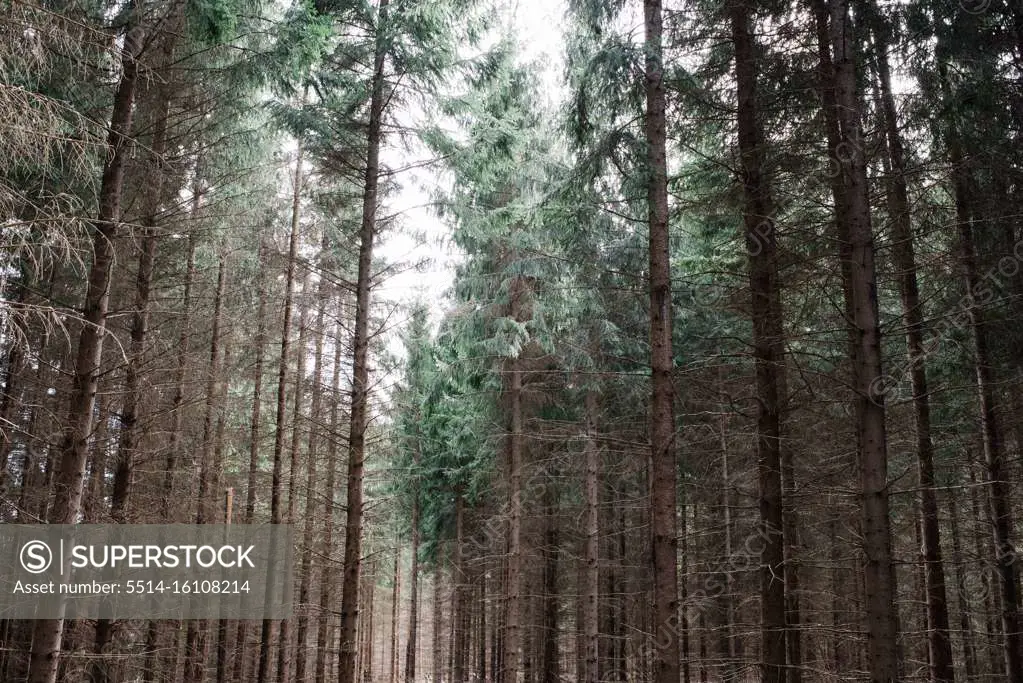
[882,623]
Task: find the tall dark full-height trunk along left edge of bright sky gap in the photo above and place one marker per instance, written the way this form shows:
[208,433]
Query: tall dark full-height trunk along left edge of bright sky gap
[361,366]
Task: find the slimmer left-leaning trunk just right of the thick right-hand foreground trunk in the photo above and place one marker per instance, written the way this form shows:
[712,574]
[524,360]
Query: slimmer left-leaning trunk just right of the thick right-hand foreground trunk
[940,644]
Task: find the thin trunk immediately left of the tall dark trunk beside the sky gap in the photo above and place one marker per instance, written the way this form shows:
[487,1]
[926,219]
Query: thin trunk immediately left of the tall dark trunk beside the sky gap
[327,543]
